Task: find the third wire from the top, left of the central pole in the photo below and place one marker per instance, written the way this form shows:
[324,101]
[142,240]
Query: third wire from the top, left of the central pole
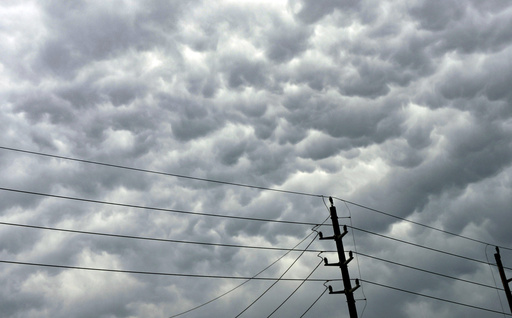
[158,239]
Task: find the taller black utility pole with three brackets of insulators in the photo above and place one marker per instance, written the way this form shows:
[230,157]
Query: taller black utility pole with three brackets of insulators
[343,262]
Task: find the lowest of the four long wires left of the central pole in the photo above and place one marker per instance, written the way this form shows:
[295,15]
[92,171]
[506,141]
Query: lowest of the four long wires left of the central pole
[158,273]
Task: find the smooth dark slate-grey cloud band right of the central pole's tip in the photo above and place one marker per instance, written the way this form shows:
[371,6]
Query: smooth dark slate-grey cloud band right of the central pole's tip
[466,160]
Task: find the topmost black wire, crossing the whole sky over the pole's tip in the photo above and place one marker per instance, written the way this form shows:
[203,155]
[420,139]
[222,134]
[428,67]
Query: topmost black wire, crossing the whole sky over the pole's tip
[242,185]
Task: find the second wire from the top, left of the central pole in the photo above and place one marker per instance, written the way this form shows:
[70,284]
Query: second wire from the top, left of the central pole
[156,209]
